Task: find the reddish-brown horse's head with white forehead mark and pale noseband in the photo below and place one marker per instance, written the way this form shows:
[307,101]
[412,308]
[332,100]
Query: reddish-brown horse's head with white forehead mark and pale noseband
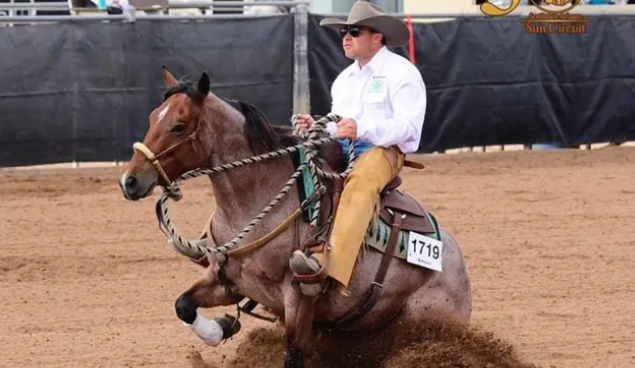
[174,142]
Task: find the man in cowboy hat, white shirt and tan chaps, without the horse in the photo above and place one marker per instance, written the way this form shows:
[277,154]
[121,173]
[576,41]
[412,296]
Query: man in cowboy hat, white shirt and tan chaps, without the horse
[382,99]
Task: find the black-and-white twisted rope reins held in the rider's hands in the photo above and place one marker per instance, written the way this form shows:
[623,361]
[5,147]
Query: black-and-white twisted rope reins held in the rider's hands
[310,142]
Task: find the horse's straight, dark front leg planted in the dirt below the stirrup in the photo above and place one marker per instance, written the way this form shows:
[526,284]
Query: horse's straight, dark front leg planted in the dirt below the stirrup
[299,311]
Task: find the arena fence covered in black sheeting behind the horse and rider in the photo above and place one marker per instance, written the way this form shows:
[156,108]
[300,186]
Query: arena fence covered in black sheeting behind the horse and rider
[79,88]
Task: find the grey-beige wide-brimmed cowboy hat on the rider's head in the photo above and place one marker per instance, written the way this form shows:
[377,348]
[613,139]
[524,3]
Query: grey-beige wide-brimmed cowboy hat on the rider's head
[372,16]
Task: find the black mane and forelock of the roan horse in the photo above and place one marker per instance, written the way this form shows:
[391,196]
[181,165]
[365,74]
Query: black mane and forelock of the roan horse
[261,135]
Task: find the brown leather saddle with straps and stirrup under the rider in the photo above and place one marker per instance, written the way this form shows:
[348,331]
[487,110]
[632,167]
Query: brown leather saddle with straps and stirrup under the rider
[396,208]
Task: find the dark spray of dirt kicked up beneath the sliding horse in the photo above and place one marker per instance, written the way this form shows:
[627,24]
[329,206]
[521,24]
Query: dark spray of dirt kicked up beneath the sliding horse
[432,344]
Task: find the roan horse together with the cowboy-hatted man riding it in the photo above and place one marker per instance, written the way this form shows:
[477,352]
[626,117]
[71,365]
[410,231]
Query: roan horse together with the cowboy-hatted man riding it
[379,104]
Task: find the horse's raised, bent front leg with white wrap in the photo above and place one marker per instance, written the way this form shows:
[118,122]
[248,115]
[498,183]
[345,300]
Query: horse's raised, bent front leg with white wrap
[207,293]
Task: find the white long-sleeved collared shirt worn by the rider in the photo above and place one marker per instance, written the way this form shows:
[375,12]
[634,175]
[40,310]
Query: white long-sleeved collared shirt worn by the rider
[387,99]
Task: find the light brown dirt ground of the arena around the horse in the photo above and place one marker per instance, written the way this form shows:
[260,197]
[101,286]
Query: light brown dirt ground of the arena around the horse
[86,279]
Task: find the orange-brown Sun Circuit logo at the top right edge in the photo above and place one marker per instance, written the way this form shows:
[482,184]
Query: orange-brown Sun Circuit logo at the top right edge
[555,16]
